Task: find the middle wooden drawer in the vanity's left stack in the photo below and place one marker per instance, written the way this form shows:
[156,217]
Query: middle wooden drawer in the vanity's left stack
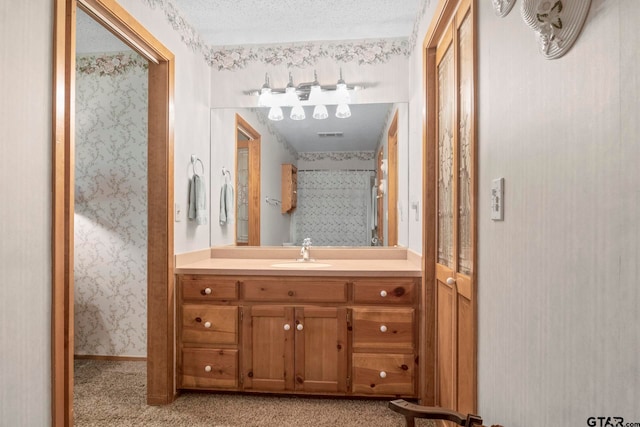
[209,324]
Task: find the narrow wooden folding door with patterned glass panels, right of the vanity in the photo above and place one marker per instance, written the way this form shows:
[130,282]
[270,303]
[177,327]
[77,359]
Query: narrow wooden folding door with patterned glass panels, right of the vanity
[455,219]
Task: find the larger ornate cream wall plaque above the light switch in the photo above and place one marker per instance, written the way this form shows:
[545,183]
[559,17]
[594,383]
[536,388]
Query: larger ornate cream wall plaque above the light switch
[557,23]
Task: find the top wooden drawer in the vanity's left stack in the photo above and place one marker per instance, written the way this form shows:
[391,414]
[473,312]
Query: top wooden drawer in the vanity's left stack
[208,288]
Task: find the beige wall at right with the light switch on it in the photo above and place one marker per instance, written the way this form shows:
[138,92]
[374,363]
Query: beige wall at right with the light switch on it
[559,314]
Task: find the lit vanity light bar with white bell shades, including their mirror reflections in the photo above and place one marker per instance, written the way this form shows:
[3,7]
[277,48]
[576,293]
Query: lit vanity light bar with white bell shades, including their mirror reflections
[312,93]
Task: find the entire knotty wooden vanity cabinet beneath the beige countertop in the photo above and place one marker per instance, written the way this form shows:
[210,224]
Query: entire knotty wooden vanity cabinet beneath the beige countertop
[310,335]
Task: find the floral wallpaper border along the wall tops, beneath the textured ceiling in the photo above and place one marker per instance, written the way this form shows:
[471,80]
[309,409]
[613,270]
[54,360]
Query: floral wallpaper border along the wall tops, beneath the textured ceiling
[296,55]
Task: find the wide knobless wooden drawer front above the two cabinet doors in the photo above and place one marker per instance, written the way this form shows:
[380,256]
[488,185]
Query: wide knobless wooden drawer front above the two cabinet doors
[295,290]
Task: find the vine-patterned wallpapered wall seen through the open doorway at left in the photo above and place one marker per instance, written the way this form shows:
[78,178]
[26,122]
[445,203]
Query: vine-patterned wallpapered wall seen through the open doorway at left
[111,205]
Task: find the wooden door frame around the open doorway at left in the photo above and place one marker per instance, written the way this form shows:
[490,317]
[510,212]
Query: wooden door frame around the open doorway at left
[160,251]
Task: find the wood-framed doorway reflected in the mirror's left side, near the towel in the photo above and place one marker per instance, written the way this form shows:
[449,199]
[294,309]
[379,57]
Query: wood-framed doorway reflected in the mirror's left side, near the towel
[247,184]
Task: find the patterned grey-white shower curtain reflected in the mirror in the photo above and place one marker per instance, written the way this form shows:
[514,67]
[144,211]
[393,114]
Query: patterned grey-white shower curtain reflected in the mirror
[334,208]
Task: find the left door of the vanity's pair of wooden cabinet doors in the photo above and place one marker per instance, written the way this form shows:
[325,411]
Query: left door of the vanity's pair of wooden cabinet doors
[268,346]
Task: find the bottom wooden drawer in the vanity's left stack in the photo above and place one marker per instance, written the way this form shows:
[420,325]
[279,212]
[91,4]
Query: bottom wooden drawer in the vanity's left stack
[209,368]
